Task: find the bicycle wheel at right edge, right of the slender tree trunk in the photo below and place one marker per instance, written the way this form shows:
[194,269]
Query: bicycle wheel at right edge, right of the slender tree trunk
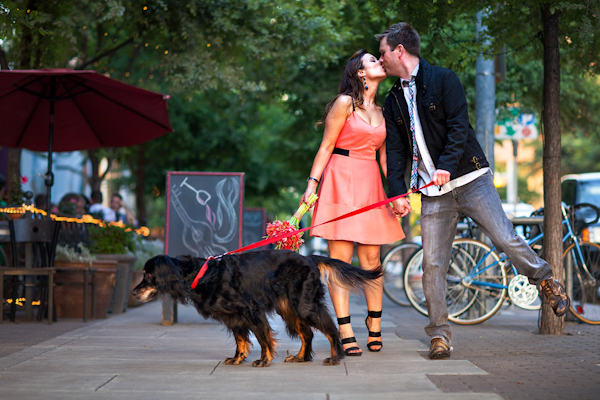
[583,289]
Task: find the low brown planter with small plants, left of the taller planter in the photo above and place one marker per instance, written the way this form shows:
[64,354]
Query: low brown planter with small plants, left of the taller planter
[70,263]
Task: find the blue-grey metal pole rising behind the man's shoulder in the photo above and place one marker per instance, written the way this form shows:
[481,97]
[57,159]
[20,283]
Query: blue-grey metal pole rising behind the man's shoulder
[485,87]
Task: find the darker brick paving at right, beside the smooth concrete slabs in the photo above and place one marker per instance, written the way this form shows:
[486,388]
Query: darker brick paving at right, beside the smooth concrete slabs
[521,363]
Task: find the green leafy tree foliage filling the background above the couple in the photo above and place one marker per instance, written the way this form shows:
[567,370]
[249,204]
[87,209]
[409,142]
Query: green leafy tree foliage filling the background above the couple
[249,78]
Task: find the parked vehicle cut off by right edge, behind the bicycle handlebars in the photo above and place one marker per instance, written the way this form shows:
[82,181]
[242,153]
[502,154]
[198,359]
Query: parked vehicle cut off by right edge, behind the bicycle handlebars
[584,188]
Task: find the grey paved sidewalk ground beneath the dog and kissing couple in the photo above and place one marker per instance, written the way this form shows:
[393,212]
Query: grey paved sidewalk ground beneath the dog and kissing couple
[132,356]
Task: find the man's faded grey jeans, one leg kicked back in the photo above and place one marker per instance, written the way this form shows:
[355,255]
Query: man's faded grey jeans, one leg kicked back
[439,217]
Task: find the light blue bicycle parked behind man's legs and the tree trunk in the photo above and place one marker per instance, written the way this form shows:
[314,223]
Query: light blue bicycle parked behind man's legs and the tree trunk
[478,278]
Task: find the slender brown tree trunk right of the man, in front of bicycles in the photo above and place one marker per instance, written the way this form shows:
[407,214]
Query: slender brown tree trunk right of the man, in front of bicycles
[550,324]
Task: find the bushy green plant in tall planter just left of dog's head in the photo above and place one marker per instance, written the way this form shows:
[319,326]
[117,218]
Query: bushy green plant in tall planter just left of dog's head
[114,242]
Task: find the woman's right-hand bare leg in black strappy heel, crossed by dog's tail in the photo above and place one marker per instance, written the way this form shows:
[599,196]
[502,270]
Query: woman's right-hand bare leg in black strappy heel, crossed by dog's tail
[369,258]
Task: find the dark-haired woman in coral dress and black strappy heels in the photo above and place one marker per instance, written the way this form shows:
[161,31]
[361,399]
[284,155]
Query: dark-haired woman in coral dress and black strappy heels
[347,173]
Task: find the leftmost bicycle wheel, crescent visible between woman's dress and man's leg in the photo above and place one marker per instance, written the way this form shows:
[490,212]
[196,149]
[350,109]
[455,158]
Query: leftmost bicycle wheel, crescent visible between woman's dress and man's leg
[393,264]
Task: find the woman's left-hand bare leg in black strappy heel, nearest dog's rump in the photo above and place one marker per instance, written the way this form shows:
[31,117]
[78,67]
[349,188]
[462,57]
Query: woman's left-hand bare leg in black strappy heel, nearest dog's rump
[340,297]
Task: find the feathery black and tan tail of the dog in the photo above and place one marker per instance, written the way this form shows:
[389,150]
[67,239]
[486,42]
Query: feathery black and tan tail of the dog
[344,274]
